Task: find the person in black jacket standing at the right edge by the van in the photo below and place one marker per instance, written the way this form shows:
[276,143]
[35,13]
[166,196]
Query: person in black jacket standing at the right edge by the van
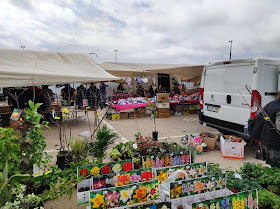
[266,133]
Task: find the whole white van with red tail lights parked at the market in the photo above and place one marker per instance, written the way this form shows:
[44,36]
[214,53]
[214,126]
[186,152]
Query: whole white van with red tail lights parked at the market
[225,102]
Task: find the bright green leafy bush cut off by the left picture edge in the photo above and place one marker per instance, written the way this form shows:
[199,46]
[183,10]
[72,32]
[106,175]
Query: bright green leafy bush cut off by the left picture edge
[10,150]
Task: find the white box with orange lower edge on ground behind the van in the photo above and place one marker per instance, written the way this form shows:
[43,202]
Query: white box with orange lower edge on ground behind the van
[233,150]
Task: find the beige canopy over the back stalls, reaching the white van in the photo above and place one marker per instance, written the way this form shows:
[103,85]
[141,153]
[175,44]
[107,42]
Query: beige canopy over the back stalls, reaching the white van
[142,69]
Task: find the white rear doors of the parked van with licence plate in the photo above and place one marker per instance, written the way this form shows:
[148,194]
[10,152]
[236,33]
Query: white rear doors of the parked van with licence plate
[225,91]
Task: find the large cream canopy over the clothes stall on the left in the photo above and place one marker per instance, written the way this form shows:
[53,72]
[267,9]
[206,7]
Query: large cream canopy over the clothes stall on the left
[27,68]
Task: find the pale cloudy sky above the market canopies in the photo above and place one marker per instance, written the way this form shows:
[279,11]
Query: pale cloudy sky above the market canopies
[150,31]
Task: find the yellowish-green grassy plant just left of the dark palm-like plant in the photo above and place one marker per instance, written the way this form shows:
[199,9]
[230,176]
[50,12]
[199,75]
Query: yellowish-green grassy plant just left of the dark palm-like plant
[79,147]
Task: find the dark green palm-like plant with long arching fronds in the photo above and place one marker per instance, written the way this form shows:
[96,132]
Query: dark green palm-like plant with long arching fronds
[103,139]
